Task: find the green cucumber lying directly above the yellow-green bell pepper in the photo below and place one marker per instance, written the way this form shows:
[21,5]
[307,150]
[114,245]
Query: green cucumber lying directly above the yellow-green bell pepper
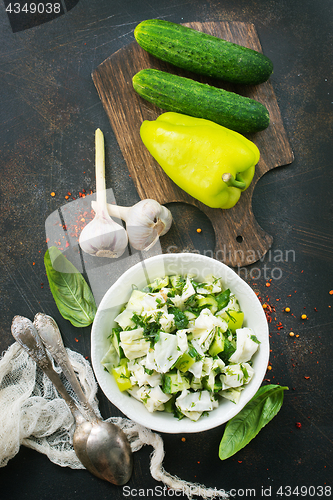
[184,95]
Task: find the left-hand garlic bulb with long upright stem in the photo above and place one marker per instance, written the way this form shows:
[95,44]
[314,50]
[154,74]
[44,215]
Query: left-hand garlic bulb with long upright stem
[102,237]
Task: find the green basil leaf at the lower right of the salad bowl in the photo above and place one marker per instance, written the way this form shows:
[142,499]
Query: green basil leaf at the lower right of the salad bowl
[242,428]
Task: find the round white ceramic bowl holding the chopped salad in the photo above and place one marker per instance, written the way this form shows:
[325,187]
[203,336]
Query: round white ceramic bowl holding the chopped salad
[139,276]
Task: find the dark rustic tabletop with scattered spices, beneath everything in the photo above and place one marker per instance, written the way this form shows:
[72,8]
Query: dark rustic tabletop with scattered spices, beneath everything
[49,112]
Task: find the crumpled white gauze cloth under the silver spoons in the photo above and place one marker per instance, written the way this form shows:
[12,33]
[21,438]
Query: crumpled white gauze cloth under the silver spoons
[33,415]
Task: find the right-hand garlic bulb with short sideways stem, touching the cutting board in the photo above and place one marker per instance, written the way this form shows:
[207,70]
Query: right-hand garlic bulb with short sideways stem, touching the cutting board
[146,221]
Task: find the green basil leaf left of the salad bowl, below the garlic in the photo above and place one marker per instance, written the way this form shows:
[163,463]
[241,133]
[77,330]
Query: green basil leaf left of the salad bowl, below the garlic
[70,291]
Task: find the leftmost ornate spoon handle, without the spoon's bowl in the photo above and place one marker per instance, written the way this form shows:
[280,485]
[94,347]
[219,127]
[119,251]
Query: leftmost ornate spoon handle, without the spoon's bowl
[25,333]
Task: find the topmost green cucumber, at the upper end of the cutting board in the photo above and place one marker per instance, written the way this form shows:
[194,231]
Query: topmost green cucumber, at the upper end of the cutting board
[202,53]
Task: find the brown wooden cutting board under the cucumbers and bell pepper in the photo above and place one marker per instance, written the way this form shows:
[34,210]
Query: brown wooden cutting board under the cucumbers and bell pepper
[240,240]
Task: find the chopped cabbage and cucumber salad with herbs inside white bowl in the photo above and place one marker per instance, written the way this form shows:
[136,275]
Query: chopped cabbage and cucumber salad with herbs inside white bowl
[180,346]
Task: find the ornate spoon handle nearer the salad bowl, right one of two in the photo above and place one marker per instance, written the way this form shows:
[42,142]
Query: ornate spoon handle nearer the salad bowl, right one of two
[50,334]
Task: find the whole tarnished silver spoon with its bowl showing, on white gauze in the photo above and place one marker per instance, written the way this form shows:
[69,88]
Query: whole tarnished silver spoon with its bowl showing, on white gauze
[102,447]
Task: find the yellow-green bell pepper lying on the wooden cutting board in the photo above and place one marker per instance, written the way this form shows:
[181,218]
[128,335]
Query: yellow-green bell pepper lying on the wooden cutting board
[210,162]
